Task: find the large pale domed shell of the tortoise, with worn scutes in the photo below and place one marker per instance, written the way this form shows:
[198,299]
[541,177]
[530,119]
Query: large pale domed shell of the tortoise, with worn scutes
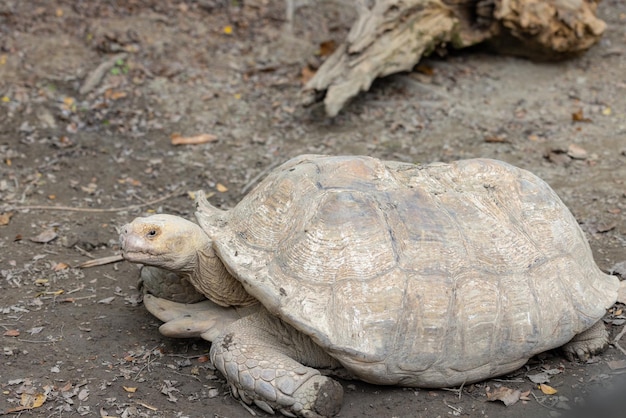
[418,275]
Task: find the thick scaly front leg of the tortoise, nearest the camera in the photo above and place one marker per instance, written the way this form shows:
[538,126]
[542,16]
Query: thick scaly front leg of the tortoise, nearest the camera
[260,356]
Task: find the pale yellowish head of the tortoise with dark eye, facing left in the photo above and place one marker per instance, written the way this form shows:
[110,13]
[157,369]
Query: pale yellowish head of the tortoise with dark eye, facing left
[165,241]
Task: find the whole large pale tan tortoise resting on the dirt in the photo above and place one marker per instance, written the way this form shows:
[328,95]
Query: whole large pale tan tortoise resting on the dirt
[393,273]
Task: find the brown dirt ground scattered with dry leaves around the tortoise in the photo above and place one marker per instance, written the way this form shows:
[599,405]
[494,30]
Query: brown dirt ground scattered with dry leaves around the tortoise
[79,342]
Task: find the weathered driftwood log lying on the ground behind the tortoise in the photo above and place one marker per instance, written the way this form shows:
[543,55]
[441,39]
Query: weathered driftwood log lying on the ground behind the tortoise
[391,36]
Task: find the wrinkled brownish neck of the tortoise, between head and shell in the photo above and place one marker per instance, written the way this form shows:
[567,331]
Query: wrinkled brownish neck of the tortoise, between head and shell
[213,279]
